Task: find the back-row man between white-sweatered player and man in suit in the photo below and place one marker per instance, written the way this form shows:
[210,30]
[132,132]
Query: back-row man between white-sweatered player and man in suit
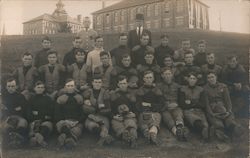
[118,52]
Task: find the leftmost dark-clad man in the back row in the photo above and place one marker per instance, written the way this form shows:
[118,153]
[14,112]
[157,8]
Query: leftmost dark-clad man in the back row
[41,56]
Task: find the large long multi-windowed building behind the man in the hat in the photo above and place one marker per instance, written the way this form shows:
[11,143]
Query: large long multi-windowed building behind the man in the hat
[158,14]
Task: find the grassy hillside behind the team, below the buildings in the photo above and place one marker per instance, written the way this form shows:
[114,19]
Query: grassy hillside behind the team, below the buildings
[221,43]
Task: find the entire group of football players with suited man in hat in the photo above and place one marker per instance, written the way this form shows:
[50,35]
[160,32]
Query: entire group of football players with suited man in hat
[120,93]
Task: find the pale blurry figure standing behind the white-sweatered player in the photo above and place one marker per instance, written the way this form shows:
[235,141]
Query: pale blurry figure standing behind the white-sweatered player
[87,35]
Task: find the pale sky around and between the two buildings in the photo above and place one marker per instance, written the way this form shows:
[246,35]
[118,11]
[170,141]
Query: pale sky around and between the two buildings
[235,14]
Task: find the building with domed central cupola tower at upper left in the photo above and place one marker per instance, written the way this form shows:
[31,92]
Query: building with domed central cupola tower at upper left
[52,23]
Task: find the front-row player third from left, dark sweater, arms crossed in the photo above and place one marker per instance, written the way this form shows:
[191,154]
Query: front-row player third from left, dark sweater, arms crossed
[69,116]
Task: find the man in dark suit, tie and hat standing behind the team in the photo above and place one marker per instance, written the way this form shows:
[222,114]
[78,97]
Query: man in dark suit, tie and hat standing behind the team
[134,36]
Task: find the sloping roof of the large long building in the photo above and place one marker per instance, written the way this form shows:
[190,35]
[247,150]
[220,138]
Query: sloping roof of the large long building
[130,3]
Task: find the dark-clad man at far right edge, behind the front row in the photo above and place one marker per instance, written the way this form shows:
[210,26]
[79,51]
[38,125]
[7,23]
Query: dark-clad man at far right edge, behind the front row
[235,77]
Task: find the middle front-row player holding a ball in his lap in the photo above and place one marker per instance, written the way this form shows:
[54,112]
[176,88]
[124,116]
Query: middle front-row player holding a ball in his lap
[124,121]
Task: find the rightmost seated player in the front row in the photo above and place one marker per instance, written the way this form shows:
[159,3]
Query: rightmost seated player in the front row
[219,109]
